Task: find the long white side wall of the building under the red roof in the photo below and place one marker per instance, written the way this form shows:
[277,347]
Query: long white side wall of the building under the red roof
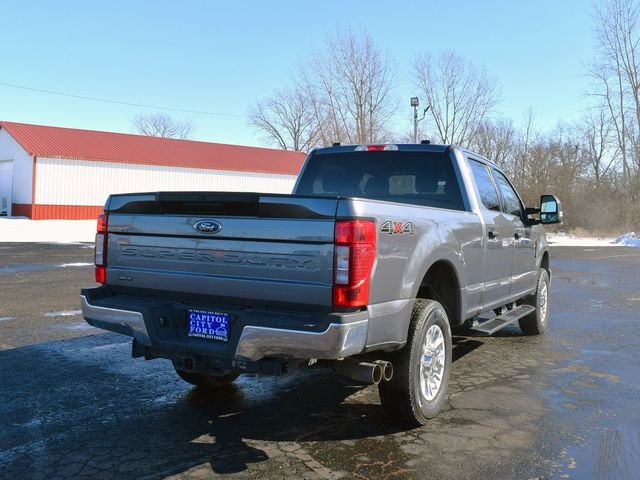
[80,182]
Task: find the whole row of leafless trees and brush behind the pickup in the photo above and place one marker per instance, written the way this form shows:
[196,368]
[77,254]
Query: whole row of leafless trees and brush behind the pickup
[345,93]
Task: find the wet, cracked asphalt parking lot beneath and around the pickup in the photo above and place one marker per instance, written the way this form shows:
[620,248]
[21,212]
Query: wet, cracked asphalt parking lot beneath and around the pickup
[73,404]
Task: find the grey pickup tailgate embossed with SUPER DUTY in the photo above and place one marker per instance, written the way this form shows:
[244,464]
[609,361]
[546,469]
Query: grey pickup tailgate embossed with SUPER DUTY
[270,249]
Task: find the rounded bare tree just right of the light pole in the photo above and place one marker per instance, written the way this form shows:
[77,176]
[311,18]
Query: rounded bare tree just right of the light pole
[460,95]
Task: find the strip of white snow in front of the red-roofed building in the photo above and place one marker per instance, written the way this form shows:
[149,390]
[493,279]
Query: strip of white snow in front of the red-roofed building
[20,229]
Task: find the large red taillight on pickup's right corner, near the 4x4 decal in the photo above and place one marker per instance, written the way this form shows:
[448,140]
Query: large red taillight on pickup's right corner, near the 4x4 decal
[354,256]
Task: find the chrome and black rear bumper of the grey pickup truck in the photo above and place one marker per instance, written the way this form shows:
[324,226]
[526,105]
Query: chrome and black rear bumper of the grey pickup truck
[336,335]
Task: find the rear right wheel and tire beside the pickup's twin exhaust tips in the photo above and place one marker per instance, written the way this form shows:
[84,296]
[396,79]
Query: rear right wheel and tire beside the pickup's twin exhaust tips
[419,385]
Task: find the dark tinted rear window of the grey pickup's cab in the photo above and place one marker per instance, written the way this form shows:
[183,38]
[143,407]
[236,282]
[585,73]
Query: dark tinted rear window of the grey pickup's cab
[418,178]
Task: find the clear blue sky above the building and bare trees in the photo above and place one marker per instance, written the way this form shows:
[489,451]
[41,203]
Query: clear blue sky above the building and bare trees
[222,57]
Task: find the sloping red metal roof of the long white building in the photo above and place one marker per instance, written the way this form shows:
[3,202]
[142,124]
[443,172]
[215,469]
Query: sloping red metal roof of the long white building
[72,143]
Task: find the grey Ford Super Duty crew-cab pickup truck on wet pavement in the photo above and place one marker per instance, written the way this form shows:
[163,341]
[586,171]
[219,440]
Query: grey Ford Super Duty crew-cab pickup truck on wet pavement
[379,252]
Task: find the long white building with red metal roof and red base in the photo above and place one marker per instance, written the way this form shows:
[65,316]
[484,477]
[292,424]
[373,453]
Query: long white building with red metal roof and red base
[53,172]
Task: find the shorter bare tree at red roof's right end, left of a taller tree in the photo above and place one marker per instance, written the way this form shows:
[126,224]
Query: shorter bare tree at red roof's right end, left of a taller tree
[286,119]
